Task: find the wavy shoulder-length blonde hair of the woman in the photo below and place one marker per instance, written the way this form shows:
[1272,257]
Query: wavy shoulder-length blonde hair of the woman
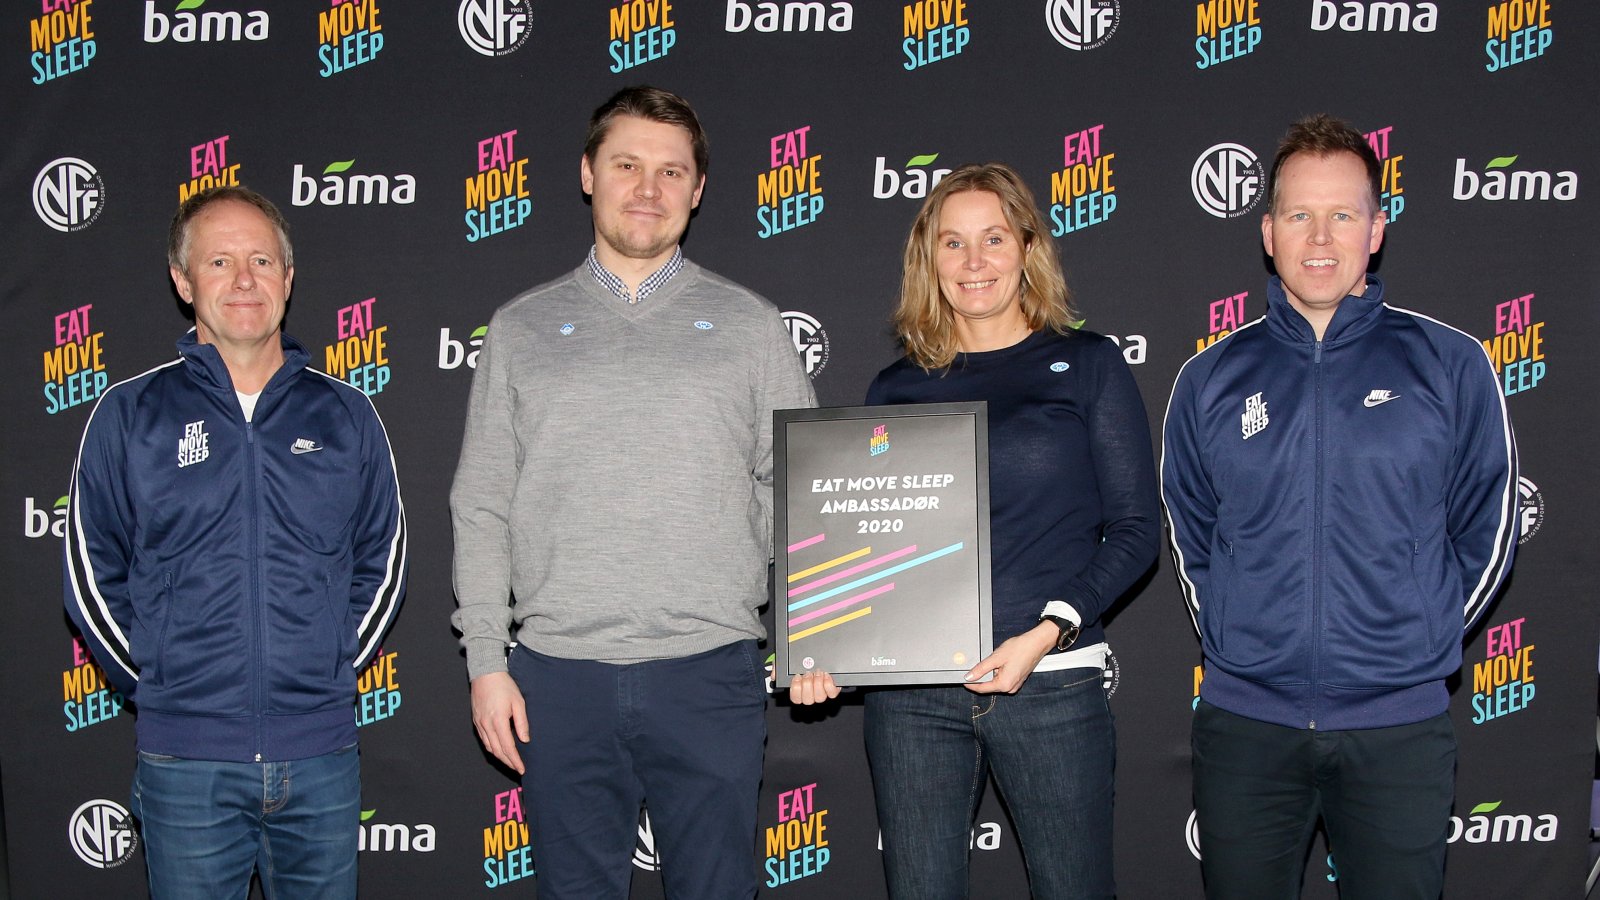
[924,319]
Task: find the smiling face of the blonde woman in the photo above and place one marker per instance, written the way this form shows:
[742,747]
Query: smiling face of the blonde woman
[980,262]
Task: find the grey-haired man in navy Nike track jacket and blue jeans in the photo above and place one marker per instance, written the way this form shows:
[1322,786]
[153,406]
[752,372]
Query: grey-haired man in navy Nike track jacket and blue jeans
[236,552]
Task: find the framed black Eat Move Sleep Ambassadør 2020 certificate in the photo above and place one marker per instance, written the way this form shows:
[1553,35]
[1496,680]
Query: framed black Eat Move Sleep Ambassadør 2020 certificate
[881,544]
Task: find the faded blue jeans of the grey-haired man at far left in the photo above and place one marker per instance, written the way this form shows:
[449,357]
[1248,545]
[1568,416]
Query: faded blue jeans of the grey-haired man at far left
[209,826]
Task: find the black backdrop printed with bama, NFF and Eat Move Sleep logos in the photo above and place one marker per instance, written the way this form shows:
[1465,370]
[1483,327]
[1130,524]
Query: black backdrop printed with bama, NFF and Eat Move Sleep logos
[426,156]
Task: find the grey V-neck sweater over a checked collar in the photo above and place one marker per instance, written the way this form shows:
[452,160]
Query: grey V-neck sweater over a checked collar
[614,497]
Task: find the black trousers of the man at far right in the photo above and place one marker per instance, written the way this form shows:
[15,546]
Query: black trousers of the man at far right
[1383,795]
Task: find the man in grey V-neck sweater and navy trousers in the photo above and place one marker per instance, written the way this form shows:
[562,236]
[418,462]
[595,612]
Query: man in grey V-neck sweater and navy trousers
[612,516]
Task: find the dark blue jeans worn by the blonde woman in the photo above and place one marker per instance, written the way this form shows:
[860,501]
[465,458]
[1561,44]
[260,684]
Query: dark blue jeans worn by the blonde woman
[1052,749]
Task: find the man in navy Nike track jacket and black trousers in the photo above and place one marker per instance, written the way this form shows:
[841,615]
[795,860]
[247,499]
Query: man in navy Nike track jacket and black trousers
[1342,484]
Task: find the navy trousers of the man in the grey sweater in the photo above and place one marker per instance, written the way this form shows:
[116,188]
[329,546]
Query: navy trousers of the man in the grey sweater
[684,737]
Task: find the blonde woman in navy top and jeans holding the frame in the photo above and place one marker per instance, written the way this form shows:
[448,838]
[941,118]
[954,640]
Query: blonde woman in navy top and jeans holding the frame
[1074,521]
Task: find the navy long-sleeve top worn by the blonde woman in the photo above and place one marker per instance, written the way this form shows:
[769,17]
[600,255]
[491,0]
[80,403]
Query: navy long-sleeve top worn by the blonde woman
[1073,492]
